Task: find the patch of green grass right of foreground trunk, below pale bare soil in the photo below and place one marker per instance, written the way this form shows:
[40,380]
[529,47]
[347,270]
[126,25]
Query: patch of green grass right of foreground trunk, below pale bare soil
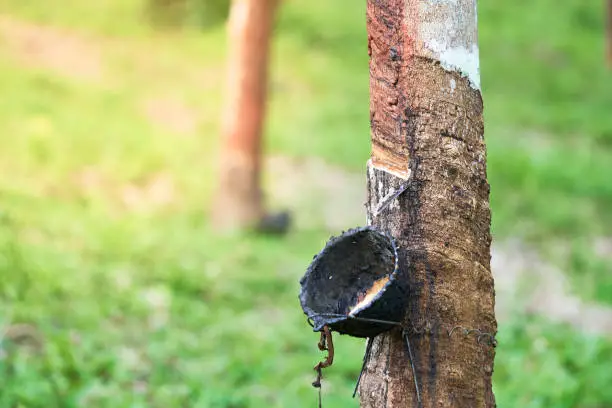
[546,365]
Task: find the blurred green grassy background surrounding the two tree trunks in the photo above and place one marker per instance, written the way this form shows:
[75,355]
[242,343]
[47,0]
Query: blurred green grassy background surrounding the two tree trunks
[114,292]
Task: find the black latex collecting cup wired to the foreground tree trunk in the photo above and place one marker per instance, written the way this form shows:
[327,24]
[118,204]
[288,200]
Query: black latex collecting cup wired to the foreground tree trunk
[352,285]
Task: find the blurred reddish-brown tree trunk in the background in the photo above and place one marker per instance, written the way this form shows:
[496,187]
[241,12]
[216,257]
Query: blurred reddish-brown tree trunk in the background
[238,201]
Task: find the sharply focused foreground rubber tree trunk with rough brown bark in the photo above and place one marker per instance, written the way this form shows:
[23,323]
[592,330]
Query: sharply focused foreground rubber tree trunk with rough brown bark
[427,131]
